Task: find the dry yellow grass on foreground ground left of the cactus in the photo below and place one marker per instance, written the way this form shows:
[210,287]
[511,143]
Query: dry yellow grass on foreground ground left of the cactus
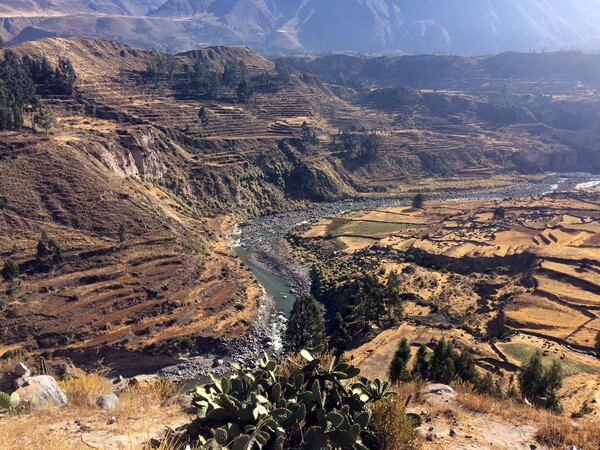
[140,417]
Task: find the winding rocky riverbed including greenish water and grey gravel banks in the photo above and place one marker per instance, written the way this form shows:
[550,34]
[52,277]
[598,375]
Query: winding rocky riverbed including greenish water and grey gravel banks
[260,243]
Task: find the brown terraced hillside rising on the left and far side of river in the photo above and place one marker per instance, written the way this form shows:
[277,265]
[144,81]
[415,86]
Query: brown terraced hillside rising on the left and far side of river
[176,164]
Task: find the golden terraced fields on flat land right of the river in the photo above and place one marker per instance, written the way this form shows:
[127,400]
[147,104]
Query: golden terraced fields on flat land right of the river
[529,279]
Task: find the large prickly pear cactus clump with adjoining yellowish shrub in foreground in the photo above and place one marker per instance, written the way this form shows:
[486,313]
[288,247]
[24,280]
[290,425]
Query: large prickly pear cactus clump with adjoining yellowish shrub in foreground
[304,403]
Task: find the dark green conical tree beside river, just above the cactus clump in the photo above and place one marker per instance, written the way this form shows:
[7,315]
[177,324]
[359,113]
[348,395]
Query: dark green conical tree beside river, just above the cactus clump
[305,328]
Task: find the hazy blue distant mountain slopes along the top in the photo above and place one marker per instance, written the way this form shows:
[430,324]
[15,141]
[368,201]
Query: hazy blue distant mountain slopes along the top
[317,26]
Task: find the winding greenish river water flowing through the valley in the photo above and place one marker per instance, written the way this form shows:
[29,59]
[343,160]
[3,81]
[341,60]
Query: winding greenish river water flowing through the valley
[259,236]
